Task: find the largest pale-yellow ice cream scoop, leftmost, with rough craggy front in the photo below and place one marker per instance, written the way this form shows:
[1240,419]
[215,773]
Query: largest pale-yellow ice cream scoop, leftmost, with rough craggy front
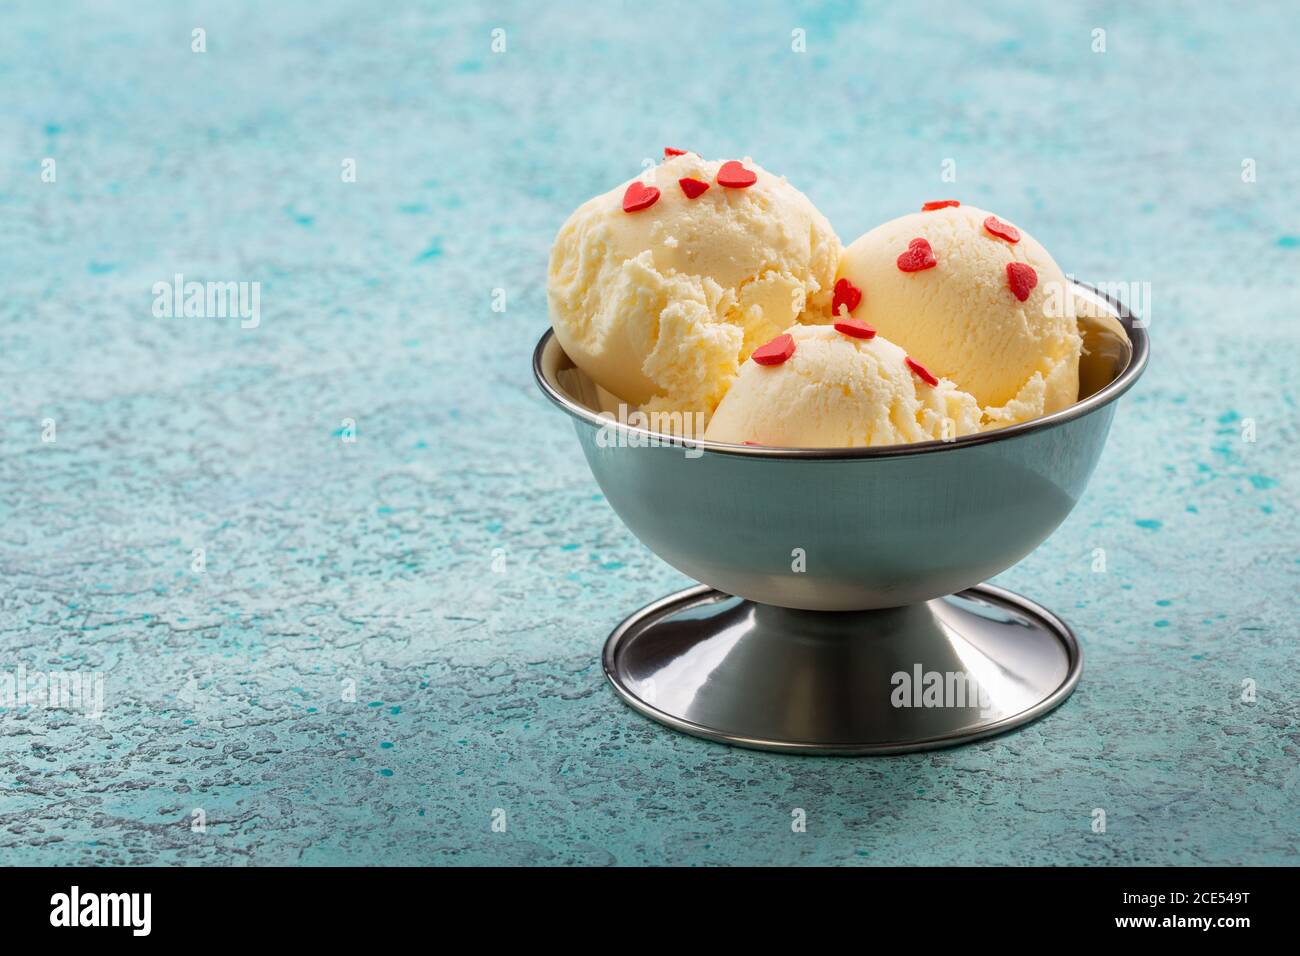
[662,304]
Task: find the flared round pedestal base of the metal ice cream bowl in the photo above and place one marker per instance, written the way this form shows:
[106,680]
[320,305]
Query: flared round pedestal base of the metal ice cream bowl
[913,678]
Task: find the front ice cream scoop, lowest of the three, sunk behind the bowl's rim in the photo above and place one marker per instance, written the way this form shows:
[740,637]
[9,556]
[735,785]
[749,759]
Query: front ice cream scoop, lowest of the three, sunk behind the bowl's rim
[838,391]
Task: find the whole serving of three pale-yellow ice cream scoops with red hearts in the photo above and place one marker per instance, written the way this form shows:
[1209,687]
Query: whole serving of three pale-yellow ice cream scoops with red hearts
[948,322]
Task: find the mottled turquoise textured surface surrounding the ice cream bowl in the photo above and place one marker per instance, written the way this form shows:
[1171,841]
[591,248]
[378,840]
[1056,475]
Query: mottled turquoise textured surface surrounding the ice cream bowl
[332,565]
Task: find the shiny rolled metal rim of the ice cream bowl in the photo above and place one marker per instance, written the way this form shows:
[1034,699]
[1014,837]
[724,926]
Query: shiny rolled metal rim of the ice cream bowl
[1103,397]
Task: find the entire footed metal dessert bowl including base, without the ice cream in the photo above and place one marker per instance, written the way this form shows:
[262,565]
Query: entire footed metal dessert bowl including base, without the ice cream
[900,538]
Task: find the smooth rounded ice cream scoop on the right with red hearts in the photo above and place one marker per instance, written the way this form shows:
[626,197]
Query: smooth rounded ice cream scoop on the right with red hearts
[976,300]
